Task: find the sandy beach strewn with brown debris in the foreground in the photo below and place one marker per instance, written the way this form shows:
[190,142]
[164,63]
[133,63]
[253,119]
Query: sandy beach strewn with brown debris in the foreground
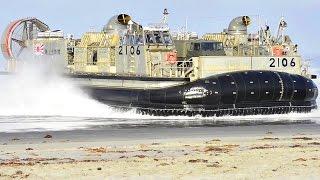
[242,152]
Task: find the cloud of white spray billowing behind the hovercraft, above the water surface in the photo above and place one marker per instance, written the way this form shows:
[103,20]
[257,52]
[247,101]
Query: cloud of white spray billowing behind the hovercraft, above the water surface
[38,88]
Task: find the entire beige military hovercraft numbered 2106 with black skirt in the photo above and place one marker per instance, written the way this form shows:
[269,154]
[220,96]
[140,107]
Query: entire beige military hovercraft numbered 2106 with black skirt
[159,72]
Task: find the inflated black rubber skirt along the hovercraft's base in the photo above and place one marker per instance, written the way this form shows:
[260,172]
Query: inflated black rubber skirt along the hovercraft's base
[234,93]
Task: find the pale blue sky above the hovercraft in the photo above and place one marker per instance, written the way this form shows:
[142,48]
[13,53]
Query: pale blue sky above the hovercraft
[78,16]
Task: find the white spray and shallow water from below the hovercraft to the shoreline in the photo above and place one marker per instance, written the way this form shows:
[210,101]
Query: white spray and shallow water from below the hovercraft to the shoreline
[39,99]
